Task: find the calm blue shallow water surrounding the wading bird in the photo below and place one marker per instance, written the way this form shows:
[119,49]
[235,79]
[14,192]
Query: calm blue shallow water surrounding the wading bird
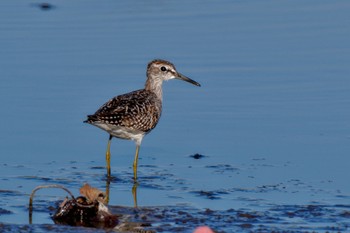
[271,118]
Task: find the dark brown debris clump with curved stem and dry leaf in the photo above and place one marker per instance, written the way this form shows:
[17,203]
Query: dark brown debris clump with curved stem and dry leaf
[89,210]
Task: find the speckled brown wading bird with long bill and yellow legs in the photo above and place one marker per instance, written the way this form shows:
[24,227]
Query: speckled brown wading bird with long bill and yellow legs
[133,115]
